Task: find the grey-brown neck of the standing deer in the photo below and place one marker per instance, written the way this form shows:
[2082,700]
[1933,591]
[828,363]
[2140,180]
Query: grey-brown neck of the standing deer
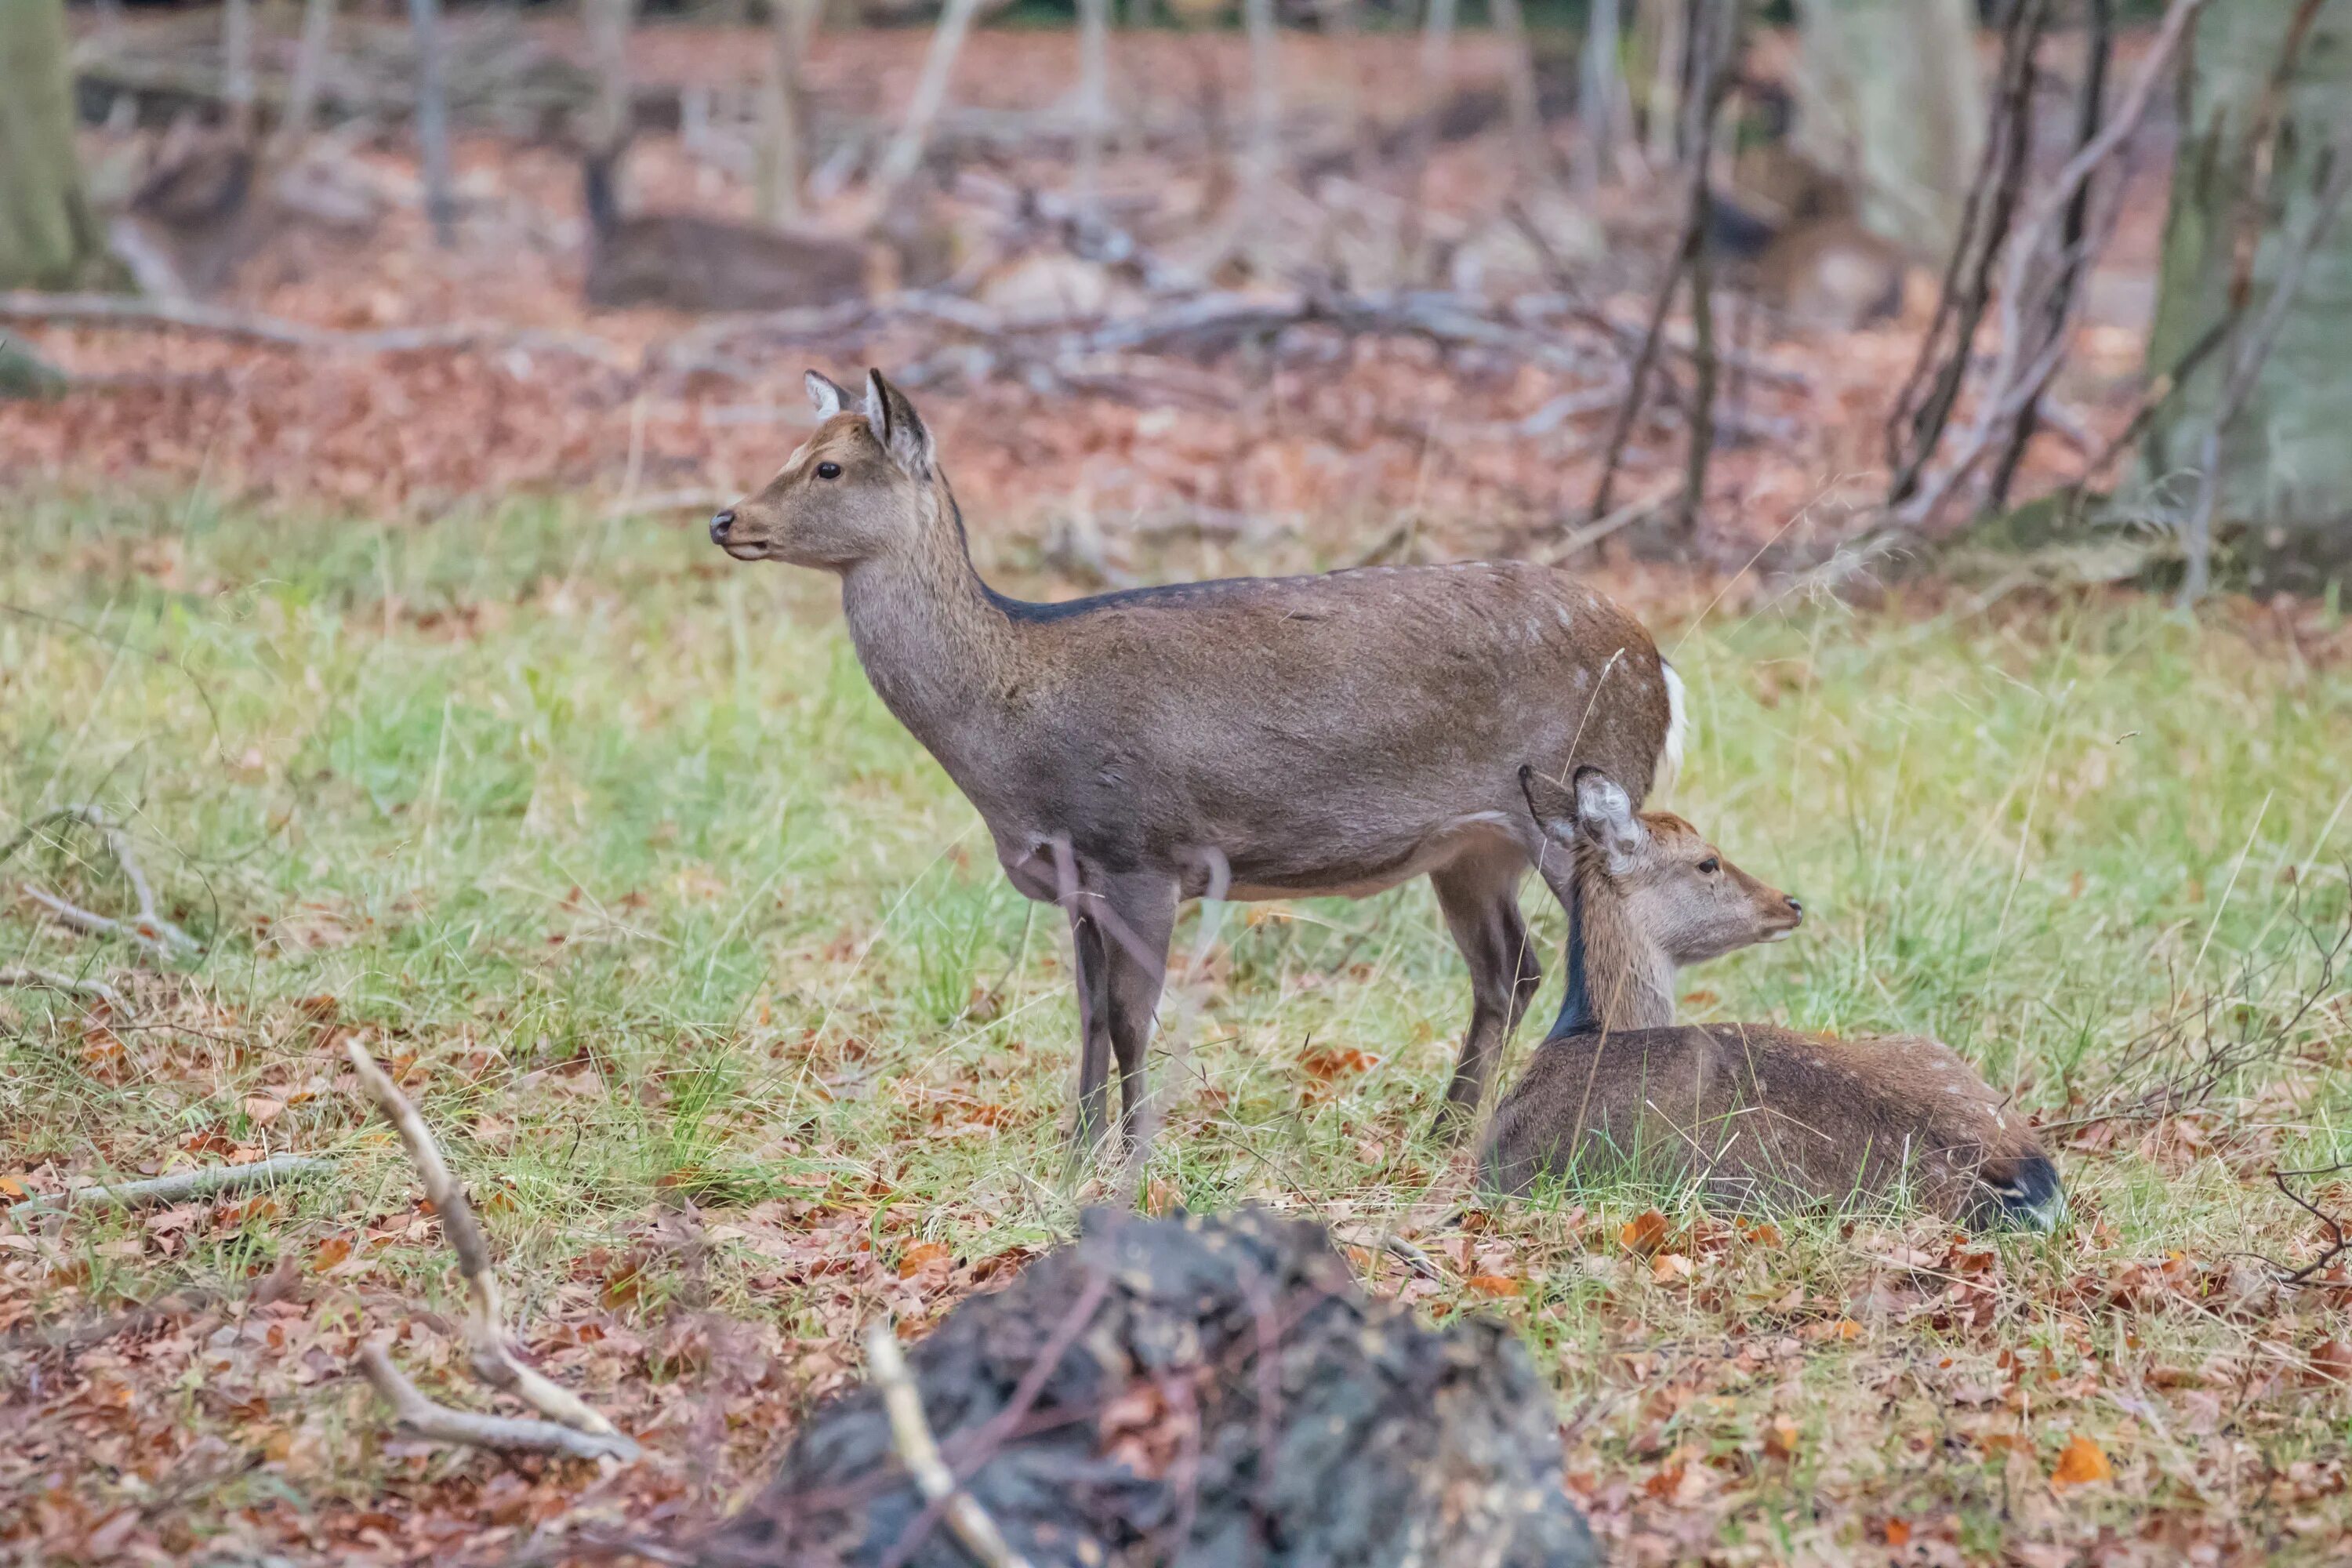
[930,634]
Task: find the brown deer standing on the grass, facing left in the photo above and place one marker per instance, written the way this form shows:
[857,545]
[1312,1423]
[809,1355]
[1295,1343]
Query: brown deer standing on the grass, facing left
[1241,739]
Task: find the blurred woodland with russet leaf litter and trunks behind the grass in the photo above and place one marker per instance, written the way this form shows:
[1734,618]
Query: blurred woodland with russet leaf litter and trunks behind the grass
[1824,288]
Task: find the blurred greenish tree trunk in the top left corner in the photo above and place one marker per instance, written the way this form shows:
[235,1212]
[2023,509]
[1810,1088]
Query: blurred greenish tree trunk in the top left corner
[48,234]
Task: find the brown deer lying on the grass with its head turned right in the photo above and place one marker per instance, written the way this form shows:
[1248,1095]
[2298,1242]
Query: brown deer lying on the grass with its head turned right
[1749,1111]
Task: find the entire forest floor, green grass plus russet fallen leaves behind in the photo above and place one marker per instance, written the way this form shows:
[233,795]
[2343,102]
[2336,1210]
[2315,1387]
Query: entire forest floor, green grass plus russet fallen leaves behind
[441,728]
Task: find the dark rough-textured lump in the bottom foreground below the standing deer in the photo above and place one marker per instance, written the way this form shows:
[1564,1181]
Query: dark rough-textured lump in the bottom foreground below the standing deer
[1168,1435]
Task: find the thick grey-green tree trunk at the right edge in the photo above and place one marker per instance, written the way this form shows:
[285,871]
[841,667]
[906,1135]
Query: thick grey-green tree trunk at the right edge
[2283,474]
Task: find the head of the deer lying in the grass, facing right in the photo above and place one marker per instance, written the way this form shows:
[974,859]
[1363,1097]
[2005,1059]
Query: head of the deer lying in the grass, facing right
[1669,887]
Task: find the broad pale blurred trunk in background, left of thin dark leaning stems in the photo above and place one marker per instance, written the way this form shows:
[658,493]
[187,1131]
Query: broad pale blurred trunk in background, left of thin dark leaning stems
[1895,100]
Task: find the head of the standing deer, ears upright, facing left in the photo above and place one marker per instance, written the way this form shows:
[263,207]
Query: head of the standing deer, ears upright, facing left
[855,490]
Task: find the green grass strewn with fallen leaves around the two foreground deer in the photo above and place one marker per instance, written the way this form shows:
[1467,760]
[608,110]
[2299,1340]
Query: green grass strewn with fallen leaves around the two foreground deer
[714,991]
